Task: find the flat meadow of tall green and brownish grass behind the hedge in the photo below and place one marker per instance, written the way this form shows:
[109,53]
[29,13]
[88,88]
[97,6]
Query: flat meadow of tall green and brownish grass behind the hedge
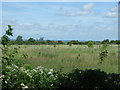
[69,57]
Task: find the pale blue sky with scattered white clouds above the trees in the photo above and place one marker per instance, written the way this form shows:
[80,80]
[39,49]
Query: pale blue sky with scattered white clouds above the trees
[62,20]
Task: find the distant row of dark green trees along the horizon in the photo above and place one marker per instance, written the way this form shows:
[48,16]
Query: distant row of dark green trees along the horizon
[31,41]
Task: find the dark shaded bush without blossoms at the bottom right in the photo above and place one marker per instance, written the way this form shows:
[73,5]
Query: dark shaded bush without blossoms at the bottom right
[89,79]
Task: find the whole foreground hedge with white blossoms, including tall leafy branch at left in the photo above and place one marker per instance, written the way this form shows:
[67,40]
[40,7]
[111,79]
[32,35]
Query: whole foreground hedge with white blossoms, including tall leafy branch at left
[18,75]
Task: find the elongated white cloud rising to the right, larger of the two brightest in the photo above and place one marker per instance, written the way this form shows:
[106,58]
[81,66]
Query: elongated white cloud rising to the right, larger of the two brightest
[85,10]
